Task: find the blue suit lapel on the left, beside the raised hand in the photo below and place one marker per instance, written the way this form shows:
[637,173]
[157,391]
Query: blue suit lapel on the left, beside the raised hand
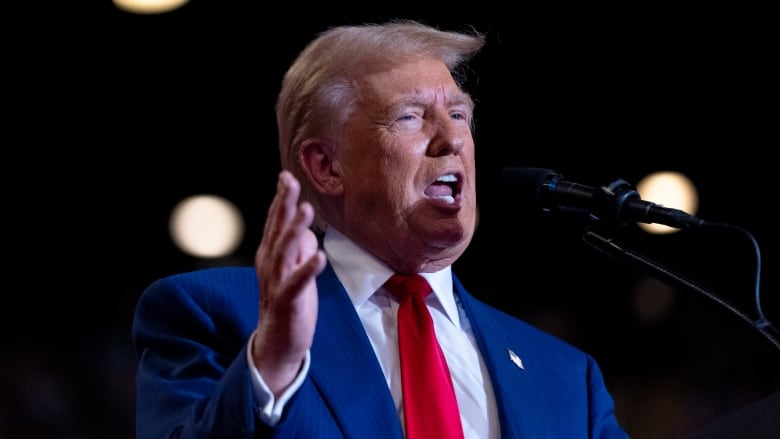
[345,369]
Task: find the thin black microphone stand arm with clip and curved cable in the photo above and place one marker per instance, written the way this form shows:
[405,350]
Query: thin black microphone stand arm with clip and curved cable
[606,216]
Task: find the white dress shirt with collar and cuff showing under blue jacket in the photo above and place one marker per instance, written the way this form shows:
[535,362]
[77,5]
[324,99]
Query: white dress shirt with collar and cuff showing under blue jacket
[363,275]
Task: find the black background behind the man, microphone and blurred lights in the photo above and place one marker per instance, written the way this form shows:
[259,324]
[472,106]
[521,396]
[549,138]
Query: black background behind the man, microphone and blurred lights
[124,115]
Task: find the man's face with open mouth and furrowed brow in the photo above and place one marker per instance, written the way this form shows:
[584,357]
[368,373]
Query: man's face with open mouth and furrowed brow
[407,157]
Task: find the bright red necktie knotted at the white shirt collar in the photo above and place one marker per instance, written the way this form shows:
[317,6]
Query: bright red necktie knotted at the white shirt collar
[430,407]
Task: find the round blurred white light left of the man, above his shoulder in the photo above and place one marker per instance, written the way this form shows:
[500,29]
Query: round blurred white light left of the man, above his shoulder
[206,226]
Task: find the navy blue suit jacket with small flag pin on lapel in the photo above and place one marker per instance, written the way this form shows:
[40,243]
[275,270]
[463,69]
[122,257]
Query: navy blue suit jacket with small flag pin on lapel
[191,331]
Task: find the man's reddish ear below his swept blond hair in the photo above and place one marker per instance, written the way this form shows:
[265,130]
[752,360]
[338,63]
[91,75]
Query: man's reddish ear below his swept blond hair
[318,160]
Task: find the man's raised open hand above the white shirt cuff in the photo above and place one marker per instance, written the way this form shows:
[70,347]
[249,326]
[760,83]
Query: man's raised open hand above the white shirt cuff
[287,263]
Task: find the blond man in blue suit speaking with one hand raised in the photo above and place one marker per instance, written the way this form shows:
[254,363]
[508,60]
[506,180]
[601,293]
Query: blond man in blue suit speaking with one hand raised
[375,136]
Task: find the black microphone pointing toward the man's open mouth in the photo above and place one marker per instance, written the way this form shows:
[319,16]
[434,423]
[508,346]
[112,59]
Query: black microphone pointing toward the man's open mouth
[617,202]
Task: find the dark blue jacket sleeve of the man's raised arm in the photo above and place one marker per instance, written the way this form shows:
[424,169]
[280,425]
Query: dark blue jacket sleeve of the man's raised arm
[192,379]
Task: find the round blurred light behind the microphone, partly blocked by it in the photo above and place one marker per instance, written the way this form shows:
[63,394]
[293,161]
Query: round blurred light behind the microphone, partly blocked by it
[668,189]
